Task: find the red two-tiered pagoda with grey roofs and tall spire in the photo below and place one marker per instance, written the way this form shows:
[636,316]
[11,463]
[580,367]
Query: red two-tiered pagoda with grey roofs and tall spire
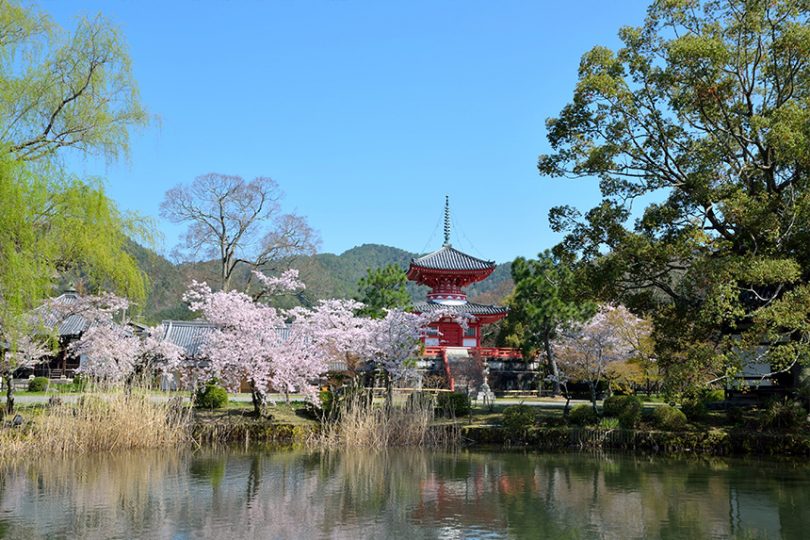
[447,271]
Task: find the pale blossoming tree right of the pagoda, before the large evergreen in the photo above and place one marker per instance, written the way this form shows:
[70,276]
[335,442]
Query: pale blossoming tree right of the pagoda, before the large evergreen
[586,350]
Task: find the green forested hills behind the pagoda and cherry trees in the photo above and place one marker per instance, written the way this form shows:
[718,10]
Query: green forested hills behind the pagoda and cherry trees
[326,276]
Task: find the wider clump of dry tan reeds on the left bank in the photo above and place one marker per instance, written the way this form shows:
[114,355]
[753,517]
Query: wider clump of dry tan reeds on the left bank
[100,422]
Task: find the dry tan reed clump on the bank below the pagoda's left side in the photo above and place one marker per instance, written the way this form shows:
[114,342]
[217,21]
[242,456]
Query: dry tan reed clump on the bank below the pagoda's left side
[362,425]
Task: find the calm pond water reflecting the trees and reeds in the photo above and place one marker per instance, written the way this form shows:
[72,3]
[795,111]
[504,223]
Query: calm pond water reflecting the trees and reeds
[410,494]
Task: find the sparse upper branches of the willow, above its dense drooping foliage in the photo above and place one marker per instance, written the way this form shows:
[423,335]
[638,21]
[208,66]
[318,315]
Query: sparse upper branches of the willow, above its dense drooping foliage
[64,90]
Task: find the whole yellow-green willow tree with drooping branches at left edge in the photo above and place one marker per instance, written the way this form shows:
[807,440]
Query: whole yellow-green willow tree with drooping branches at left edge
[59,90]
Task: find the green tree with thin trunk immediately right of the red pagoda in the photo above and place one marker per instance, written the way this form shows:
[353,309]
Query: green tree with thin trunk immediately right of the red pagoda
[547,296]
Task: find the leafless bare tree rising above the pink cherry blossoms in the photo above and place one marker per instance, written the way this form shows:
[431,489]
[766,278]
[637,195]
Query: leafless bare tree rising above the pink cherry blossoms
[239,223]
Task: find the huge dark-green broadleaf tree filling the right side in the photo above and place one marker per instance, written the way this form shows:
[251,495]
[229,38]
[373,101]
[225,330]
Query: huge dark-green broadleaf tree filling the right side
[704,109]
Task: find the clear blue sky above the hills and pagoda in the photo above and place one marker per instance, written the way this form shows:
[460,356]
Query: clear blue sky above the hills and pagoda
[366,113]
